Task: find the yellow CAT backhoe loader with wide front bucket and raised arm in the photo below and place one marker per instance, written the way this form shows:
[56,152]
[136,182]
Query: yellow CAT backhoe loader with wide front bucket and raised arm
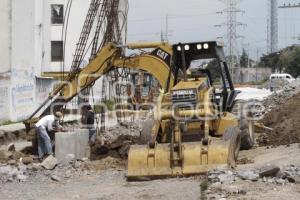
[193,130]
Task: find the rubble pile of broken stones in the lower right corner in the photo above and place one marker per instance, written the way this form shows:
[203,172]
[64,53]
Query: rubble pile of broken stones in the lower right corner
[221,182]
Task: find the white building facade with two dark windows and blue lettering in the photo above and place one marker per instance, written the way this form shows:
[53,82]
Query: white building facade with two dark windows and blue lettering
[31,43]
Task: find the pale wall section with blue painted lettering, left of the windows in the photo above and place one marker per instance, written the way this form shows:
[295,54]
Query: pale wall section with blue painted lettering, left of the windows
[24,52]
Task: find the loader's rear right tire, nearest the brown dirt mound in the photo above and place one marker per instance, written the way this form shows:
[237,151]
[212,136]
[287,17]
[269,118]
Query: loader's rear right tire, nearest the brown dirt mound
[247,141]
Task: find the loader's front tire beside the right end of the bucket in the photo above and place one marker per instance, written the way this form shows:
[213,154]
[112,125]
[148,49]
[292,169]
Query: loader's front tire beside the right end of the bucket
[233,135]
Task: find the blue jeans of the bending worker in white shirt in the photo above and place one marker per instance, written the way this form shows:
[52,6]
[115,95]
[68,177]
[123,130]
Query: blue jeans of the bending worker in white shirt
[44,142]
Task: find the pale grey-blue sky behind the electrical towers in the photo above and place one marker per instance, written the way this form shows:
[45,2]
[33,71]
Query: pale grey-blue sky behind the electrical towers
[195,20]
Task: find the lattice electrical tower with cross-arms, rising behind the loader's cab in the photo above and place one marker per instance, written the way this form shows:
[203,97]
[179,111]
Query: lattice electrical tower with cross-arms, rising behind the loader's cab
[232,36]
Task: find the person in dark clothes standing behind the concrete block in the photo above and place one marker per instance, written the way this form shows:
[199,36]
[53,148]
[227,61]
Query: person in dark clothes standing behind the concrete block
[89,121]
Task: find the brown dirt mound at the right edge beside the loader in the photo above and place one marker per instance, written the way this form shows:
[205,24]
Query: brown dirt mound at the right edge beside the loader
[285,121]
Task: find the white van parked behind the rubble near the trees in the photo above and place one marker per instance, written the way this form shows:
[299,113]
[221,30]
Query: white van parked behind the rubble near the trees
[277,81]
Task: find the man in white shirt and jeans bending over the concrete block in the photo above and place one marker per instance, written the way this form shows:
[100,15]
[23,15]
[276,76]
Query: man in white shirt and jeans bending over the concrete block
[43,127]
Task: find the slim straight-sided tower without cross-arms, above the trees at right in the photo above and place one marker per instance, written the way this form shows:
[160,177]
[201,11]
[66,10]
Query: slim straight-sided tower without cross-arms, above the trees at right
[272,37]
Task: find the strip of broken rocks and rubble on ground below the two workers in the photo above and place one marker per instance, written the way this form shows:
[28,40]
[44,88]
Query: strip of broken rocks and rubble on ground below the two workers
[27,169]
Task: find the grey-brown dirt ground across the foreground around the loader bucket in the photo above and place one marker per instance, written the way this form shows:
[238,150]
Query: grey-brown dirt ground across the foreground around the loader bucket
[110,183]
